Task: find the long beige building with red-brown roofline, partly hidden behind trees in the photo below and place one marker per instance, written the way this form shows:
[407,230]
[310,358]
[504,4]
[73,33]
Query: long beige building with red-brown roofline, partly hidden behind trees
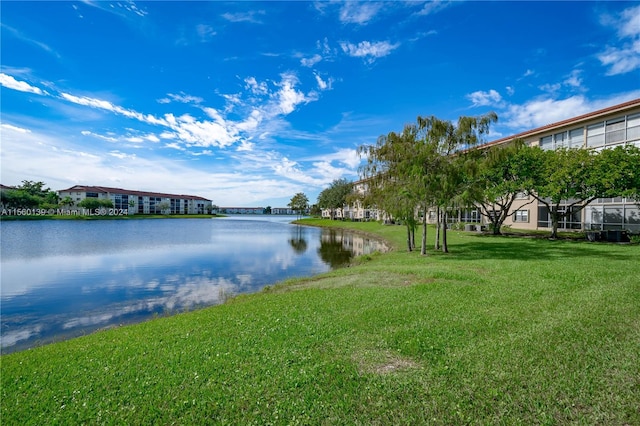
[605,128]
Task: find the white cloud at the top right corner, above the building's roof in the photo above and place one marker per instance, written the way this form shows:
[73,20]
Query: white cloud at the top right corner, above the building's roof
[624,58]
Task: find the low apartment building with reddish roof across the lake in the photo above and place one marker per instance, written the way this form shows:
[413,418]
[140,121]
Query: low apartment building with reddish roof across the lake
[140,202]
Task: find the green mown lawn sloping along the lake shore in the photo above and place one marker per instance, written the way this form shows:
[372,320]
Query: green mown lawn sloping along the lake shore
[502,330]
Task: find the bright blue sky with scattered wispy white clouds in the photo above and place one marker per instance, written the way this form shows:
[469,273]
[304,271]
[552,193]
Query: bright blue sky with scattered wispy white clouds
[248,103]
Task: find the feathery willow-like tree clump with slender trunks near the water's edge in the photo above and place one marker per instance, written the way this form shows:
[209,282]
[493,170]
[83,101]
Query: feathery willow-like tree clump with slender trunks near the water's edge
[425,165]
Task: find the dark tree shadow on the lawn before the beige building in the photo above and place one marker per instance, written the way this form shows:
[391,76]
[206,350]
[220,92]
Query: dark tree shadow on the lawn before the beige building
[476,247]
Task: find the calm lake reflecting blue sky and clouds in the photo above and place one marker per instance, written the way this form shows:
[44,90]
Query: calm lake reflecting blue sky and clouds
[62,279]
